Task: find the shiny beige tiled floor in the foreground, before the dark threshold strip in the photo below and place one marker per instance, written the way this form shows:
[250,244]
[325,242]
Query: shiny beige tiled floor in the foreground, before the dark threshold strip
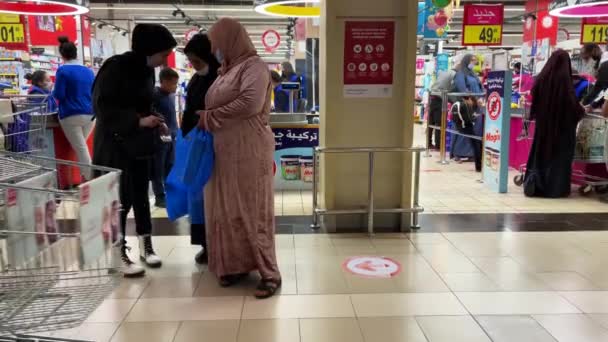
[453,287]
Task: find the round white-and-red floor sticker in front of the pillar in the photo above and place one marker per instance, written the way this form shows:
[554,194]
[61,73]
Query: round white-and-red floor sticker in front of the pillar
[372,266]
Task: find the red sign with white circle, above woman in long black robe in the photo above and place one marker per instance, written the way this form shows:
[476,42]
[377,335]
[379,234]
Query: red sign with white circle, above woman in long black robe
[545,25]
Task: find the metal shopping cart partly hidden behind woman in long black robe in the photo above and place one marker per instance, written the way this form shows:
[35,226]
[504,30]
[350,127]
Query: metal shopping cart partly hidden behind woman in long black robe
[591,148]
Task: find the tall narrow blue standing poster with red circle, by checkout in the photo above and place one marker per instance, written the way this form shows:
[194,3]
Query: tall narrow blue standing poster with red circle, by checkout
[496,132]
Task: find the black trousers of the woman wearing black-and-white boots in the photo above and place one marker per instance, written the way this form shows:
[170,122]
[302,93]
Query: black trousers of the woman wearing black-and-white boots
[134,183]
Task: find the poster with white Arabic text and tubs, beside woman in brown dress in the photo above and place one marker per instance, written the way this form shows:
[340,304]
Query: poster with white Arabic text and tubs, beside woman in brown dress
[293,157]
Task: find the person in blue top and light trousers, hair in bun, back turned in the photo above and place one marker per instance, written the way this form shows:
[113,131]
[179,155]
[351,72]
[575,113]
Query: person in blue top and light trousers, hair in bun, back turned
[73,86]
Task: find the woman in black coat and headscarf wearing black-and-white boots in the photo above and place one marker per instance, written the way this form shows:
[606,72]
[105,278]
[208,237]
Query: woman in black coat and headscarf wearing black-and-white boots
[127,130]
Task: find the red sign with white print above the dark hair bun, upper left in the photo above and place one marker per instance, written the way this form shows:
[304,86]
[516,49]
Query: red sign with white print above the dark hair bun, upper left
[45,29]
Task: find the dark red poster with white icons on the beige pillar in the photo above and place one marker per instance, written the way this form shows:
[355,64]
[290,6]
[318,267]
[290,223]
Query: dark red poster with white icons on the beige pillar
[369,59]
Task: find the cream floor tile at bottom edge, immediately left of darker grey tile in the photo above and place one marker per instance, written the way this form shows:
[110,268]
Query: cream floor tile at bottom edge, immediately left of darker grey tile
[452,329]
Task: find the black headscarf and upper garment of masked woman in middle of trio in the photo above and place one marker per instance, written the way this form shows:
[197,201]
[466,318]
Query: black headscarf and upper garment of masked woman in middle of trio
[200,46]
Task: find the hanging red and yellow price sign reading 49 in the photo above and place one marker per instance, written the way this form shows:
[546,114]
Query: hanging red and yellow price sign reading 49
[482,24]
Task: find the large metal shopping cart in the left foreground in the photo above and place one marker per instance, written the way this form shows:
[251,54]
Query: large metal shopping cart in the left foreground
[57,260]
